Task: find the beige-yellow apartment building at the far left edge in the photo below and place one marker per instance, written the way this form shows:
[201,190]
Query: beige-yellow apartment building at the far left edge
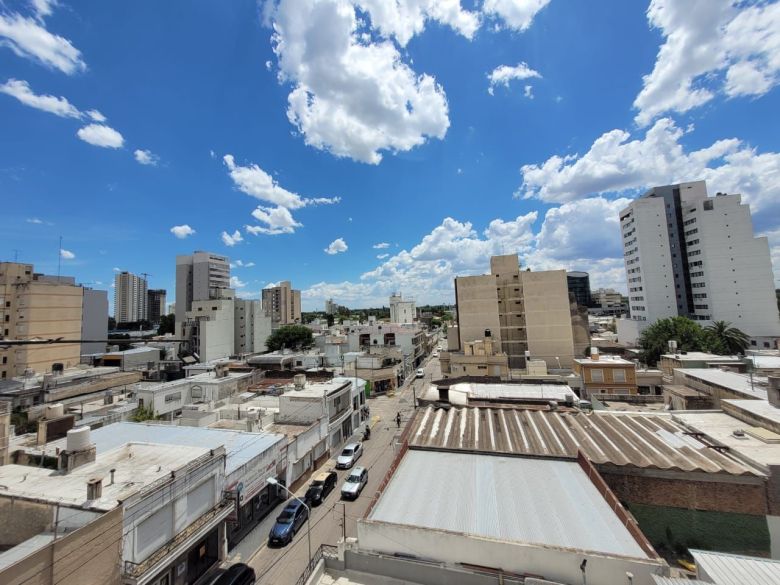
[38,306]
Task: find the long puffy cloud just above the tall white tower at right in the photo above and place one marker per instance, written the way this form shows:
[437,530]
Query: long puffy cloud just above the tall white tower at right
[615,163]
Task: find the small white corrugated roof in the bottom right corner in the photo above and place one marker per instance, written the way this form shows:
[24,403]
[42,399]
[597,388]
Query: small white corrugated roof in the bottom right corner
[726,569]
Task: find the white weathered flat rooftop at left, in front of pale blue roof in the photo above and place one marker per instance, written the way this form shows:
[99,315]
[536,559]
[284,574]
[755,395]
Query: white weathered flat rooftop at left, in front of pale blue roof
[137,465]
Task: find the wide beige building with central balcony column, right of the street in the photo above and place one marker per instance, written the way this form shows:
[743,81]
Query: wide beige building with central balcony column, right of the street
[523,310]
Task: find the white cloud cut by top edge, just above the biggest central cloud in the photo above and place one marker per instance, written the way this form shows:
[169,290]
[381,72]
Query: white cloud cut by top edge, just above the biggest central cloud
[404,19]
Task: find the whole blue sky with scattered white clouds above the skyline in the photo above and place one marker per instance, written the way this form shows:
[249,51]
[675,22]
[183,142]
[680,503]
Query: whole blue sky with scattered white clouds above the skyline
[360,147]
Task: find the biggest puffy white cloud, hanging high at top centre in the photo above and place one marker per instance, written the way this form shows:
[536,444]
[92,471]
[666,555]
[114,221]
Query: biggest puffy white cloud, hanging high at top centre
[351,96]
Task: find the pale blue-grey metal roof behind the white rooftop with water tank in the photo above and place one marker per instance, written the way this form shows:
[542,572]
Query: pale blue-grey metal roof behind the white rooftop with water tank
[240,446]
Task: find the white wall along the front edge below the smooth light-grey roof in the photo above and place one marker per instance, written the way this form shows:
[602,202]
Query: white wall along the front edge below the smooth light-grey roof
[554,564]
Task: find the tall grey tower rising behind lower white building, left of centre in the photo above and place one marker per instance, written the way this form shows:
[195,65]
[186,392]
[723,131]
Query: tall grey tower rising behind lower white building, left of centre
[201,276]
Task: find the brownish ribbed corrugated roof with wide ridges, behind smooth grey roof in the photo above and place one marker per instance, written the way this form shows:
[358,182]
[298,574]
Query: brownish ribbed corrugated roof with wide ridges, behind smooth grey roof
[638,440]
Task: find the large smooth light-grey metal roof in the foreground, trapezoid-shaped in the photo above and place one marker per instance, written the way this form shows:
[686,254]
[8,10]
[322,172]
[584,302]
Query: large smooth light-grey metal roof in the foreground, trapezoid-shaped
[518,499]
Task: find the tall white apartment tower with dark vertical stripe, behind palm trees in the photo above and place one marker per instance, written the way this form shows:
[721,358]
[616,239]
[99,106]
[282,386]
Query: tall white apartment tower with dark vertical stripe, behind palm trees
[692,255]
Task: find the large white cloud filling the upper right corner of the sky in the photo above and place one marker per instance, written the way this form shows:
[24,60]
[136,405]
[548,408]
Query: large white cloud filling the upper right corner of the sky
[710,47]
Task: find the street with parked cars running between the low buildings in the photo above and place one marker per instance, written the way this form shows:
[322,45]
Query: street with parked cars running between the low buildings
[284,565]
